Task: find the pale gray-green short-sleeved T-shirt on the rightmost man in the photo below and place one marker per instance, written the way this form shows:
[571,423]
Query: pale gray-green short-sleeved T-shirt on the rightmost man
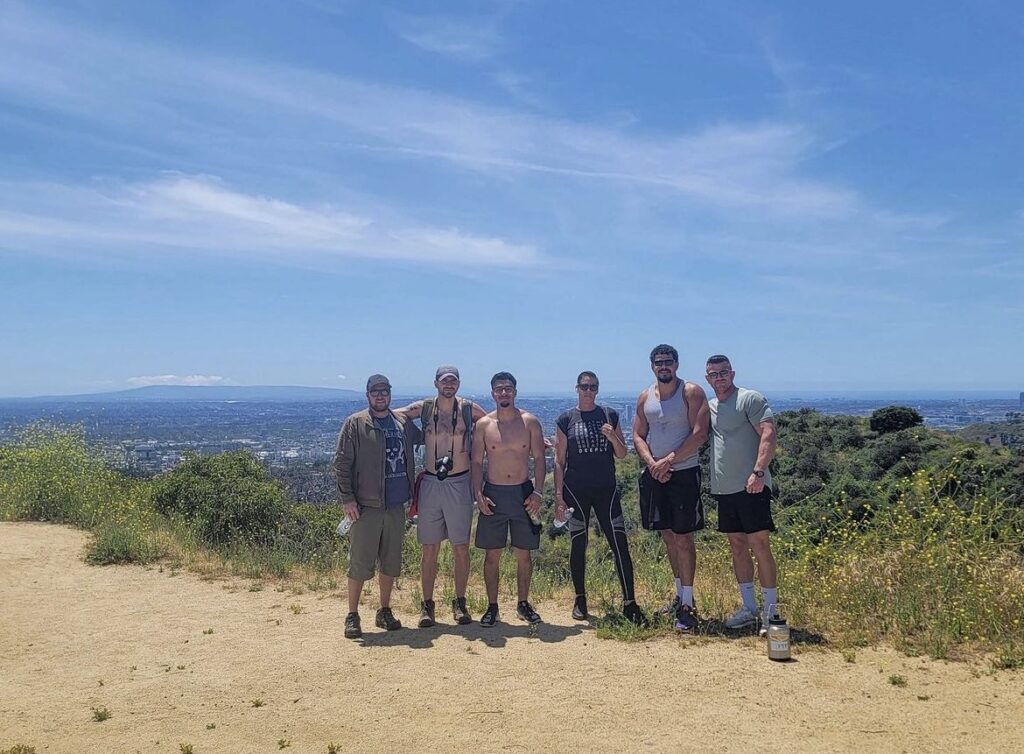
[735,440]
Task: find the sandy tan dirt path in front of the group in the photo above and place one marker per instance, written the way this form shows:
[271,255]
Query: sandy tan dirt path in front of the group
[74,638]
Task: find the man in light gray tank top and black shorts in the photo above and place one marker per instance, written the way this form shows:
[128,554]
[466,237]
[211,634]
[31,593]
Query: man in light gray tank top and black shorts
[671,427]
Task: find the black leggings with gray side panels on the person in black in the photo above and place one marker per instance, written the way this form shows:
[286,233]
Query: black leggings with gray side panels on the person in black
[606,505]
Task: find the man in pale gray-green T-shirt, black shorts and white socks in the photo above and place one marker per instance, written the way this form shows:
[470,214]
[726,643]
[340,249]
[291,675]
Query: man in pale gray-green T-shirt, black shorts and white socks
[743,444]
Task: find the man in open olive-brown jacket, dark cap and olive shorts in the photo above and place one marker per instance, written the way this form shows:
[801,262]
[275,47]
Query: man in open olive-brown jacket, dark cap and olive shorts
[375,468]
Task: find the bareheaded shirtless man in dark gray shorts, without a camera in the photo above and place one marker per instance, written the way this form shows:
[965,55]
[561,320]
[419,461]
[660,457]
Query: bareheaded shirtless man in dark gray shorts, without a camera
[508,438]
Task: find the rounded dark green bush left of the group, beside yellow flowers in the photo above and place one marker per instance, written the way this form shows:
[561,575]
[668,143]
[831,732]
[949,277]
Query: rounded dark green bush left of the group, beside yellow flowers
[228,498]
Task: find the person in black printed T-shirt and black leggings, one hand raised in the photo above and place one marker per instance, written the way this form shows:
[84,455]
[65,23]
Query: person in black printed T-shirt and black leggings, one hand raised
[588,440]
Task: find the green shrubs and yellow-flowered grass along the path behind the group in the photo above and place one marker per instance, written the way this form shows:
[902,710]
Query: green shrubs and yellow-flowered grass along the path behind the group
[912,537]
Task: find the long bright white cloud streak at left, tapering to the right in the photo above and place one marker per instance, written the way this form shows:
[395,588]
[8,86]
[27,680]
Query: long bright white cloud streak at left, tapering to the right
[200,214]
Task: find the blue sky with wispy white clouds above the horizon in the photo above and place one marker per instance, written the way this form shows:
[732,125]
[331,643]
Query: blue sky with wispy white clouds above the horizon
[308,192]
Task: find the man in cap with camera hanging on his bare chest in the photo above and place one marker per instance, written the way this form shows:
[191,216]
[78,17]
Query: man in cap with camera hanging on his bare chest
[445,501]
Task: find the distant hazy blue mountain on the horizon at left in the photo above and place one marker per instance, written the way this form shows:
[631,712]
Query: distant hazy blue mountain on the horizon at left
[193,394]
